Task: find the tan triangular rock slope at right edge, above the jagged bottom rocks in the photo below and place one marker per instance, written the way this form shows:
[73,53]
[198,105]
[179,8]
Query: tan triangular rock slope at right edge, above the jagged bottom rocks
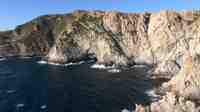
[187,82]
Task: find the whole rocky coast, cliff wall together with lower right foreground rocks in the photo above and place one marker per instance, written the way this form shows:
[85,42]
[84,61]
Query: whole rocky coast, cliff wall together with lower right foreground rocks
[167,40]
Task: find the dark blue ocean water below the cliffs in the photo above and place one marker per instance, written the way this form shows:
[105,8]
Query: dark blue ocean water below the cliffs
[31,85]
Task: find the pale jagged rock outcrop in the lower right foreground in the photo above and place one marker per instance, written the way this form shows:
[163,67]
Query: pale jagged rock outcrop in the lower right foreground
[183,90]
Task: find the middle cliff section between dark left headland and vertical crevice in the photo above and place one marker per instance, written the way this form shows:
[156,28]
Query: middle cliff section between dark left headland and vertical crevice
[113,38]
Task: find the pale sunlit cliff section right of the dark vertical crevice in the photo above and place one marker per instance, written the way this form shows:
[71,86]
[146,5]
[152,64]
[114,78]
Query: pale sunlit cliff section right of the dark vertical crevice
[172,35]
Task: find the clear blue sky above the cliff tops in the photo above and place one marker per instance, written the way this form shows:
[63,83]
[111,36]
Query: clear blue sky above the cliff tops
[16,12]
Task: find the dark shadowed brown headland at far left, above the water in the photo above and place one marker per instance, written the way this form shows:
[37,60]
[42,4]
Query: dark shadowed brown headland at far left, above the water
[32,38]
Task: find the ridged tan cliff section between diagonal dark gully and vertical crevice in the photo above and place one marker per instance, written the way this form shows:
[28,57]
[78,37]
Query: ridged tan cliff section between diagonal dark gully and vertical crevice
[130,32]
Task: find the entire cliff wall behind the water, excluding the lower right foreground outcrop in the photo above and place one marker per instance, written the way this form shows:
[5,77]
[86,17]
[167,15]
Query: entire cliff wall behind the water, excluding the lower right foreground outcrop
[161,38]
